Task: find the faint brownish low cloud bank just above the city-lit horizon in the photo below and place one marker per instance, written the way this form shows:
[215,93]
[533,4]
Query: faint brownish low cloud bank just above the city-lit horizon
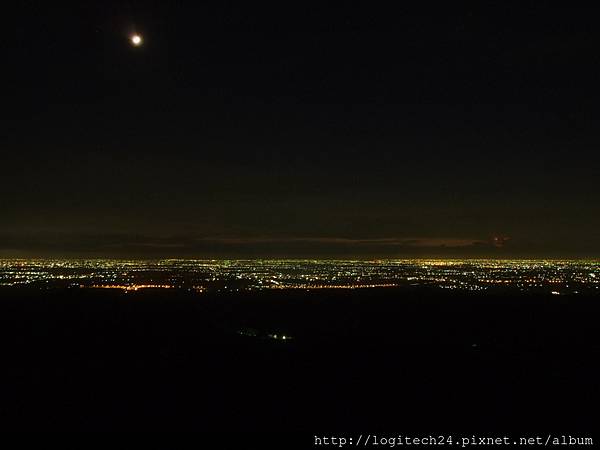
[125,245]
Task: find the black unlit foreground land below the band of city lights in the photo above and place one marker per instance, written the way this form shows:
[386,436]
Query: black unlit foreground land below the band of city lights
[362,360]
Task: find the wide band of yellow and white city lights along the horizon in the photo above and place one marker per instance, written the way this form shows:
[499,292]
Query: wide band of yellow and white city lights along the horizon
[236,275]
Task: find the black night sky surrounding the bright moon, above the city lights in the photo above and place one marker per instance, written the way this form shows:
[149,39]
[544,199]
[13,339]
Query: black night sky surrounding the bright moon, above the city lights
[304,130]
